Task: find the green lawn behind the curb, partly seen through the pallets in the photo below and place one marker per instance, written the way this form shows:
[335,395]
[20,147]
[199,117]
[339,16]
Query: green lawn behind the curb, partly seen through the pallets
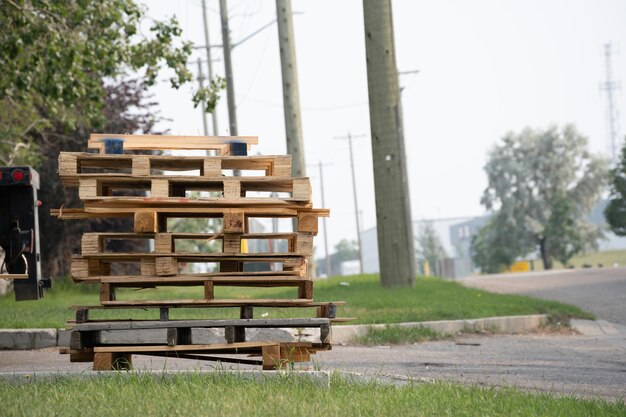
[430,299]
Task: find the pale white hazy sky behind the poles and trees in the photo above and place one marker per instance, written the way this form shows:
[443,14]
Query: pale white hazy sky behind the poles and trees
[486,67]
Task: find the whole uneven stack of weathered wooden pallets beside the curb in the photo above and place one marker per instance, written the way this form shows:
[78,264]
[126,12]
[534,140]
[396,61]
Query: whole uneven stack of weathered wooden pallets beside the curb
[108,184]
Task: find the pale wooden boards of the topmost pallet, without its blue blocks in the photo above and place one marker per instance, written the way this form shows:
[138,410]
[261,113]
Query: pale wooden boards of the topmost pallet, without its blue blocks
[221,144]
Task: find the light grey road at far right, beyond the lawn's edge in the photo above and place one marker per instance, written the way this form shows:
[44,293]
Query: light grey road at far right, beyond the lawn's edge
[601,291]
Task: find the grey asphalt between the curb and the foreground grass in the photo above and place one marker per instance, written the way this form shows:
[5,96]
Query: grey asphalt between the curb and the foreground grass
[577,365]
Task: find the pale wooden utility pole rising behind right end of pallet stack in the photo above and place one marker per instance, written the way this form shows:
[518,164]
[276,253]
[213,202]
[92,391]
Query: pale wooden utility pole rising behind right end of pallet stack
[291,95]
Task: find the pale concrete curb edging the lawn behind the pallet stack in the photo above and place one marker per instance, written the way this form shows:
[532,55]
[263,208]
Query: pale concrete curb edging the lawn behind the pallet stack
[24,339]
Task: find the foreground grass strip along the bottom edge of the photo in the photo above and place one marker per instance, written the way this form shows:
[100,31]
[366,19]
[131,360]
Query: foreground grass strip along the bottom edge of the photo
[201,394]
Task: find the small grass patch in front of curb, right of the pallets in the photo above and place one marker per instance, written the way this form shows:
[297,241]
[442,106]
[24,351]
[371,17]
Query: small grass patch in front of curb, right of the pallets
[398,335]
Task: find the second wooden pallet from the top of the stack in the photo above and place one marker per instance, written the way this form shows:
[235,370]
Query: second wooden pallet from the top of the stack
[76,165]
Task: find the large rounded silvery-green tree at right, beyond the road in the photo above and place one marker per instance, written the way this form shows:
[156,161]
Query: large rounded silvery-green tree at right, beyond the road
[541,186]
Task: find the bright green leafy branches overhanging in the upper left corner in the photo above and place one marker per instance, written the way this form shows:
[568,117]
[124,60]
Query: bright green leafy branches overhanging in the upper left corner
[57,58]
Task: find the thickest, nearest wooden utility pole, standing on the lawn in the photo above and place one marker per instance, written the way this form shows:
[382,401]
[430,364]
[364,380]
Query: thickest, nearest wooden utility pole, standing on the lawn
[396,249]
